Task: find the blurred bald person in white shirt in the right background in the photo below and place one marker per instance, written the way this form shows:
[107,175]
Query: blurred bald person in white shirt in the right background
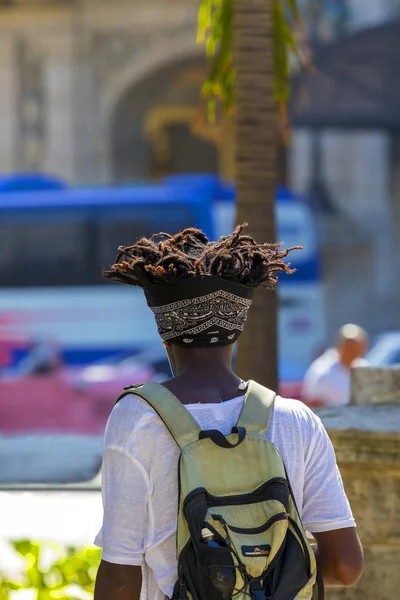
[327,381]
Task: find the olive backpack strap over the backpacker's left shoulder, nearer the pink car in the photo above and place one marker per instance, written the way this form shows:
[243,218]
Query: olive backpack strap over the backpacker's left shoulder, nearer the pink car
[178,420]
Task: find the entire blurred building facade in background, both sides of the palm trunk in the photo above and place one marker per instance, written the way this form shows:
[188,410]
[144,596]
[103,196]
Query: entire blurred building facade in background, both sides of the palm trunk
[99,92]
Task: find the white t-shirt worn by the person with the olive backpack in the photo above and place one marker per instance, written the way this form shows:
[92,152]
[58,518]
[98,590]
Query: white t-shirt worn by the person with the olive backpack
[140,489]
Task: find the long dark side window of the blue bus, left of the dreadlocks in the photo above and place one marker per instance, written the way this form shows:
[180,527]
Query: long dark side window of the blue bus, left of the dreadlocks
[70,248]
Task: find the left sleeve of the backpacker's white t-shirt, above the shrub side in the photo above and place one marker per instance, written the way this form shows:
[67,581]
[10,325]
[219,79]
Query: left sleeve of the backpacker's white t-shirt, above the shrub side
[125,489]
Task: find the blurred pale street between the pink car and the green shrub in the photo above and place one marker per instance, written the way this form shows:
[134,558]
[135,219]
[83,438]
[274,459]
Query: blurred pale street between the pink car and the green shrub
[65,508]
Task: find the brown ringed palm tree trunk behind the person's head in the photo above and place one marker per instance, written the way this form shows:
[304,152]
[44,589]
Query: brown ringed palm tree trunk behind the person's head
[255,171]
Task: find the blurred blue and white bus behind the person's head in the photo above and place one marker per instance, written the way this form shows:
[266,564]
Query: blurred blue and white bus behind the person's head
[55,240]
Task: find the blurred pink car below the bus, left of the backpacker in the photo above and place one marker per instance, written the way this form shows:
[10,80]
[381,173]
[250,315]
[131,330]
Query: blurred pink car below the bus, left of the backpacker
[64,401]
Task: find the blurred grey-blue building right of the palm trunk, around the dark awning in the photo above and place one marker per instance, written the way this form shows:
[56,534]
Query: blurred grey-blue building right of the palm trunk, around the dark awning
[357,172]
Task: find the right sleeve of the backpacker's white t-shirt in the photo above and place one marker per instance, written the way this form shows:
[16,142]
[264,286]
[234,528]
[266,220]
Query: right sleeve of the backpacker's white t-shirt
[325,504]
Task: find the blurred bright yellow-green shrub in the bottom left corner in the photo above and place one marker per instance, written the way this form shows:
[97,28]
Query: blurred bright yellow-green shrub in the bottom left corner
[51,572]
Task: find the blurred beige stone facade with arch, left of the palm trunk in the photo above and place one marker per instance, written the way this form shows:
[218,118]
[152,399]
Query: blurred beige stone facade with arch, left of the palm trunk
[93,90]
